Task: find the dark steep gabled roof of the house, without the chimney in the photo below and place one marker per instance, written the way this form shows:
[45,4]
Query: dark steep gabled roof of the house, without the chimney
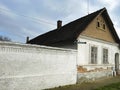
[71,30]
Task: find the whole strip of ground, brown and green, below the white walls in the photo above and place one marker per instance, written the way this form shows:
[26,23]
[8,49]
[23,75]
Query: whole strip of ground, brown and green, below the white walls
[112,83]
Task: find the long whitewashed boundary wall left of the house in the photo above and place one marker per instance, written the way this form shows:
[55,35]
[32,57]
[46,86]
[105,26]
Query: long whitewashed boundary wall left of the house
[32,67]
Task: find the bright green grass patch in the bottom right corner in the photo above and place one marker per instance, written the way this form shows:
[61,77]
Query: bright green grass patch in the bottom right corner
[115,86]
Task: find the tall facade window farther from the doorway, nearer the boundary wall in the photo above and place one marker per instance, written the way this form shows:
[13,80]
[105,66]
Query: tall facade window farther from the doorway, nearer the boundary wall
[93,55]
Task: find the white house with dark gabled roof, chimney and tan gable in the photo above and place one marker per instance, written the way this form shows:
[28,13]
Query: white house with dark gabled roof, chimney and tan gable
[93,36]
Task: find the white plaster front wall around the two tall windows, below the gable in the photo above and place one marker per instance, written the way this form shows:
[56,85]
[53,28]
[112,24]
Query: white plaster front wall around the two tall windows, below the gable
[84,52]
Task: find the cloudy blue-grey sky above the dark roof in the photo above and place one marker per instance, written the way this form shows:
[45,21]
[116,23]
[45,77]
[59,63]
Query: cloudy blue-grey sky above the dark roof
[22,18]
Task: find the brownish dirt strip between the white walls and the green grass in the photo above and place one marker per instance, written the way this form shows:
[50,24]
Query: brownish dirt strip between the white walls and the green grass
[91,85]
